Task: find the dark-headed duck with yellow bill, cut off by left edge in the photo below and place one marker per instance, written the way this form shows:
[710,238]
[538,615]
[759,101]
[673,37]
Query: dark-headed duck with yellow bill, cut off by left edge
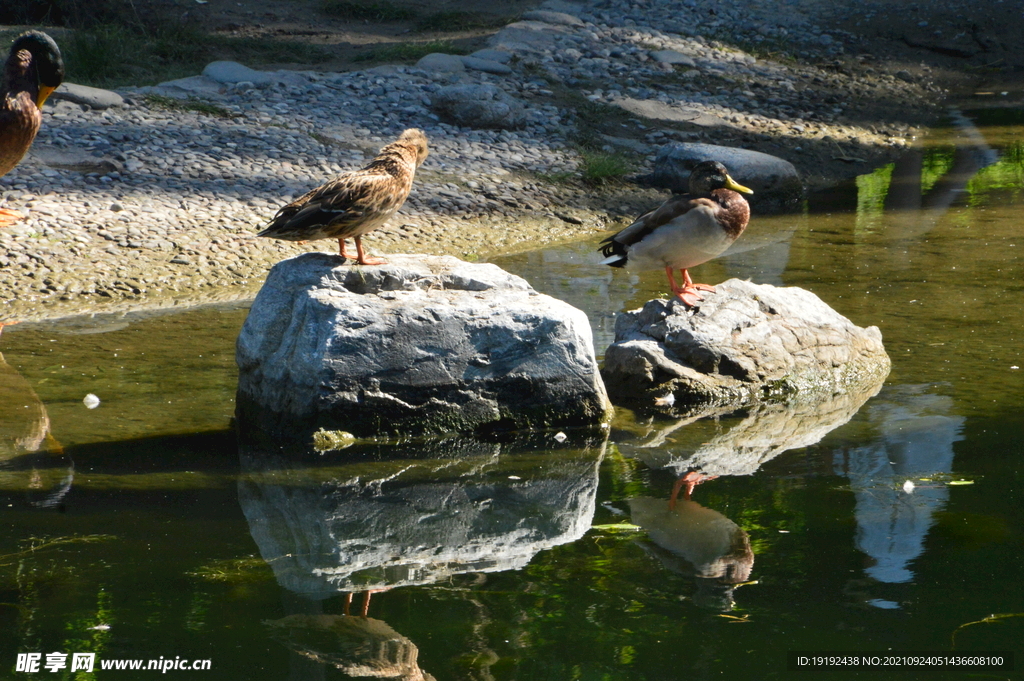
[33,71]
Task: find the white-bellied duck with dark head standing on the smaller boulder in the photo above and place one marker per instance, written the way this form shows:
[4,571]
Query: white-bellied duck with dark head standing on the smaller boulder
[686,231]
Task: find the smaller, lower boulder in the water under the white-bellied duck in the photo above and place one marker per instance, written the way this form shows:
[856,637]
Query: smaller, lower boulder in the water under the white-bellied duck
[746,345]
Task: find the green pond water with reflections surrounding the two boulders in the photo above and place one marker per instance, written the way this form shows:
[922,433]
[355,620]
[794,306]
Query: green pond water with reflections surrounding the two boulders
[143,529]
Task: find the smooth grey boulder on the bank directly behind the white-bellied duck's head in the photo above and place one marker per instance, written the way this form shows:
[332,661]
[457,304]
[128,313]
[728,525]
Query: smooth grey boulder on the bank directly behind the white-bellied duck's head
[776,182]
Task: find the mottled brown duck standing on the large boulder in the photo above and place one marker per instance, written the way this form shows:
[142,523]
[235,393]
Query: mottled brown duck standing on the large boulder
[353,204]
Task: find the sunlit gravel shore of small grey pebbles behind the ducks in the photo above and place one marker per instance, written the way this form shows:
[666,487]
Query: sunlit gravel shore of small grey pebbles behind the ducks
[165,208]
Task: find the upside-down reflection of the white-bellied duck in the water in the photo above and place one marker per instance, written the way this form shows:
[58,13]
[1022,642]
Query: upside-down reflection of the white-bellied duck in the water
[696,541]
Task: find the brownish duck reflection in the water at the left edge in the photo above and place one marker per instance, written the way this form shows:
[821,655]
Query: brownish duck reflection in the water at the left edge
[31,460]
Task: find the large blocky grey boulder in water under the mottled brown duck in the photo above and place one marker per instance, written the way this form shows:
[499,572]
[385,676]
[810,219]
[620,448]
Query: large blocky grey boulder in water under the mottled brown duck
[421,346]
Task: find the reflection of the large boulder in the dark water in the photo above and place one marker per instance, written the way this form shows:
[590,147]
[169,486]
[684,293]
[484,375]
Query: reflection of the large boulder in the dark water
[393,516]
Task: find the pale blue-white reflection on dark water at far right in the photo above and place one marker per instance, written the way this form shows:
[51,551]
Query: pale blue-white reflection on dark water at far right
[916,440]
